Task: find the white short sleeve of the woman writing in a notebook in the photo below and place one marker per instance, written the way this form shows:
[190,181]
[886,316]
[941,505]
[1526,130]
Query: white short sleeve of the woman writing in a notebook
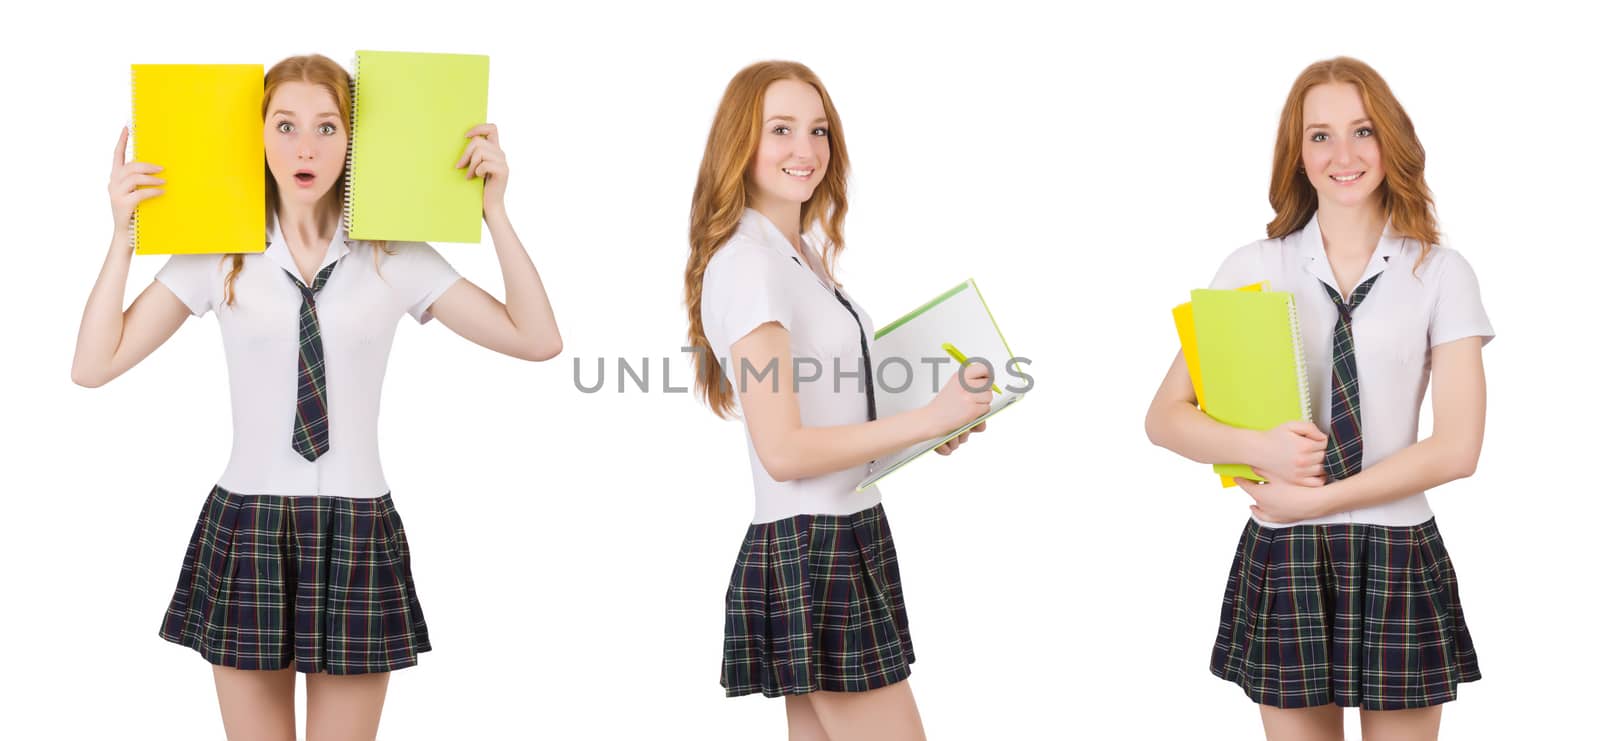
[742,292]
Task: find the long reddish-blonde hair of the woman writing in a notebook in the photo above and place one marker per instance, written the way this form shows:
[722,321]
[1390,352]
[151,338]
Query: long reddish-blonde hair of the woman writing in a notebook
[722,194]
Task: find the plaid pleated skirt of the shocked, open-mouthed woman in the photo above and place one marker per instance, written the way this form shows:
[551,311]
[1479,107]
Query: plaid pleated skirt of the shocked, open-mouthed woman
[319,583]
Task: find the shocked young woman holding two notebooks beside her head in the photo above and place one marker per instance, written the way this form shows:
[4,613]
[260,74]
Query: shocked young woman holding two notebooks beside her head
[300,563]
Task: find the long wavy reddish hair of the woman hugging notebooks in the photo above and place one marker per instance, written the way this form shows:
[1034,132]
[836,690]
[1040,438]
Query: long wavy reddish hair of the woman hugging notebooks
[1407,201]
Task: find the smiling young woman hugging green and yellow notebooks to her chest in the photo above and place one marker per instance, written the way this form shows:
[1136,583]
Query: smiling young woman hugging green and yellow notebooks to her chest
[1342,591]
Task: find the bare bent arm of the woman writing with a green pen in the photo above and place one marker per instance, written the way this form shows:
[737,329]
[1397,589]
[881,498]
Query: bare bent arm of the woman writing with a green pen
[791,451]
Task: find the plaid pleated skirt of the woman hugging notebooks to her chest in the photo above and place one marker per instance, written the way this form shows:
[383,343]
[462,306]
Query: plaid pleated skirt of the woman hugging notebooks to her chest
[1354,615]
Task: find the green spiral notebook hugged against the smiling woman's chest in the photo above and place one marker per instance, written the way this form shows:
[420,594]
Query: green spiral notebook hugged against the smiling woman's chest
[1252,361]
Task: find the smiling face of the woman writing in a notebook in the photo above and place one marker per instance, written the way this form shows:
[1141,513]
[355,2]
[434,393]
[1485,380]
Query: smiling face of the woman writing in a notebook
[793,153]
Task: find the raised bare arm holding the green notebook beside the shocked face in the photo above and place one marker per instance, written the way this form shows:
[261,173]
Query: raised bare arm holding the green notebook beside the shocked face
[522,327]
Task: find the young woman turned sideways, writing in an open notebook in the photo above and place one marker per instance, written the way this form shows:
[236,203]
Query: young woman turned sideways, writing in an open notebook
[815,607]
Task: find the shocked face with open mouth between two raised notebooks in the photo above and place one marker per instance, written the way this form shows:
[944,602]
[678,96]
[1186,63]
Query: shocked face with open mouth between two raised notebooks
[306,142]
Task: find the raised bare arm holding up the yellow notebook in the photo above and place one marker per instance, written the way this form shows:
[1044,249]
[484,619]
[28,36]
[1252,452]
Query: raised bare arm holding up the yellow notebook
[113,340]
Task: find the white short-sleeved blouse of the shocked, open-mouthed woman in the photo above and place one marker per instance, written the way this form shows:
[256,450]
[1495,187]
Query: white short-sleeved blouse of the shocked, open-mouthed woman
[358,310]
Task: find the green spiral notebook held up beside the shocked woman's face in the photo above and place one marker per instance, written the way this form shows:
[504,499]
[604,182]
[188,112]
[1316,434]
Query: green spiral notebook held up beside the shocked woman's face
[412,114]
